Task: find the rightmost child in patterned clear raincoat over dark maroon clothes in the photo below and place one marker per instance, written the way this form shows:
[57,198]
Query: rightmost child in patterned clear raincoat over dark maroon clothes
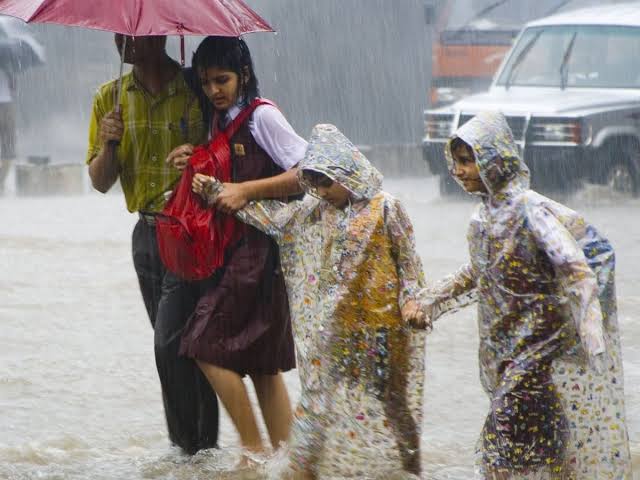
[549,358]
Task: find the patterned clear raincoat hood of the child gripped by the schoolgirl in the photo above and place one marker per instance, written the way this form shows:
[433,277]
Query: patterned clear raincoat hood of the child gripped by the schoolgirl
[332,154]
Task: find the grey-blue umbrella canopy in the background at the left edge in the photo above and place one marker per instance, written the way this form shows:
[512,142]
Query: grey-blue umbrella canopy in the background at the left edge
[19,50]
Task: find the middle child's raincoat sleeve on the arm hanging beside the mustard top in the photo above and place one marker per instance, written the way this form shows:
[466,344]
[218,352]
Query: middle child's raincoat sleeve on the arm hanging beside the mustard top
[408,263]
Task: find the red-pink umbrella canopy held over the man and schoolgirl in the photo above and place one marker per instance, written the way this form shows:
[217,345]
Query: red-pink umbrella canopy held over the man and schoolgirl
[231,18]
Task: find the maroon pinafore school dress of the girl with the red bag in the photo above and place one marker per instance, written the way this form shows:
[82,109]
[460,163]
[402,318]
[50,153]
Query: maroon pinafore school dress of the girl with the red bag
[242,322]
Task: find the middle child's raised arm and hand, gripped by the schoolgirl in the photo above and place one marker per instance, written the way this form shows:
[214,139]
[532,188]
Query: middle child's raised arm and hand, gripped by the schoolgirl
[270,216]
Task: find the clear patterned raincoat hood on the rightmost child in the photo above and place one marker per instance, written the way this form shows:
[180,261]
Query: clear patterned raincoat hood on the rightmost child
[501,168]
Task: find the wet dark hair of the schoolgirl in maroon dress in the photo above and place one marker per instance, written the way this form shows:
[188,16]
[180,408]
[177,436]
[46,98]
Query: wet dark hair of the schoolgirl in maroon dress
[229,53]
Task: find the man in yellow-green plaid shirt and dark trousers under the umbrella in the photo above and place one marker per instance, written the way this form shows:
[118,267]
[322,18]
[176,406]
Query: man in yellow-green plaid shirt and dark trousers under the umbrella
[130,141]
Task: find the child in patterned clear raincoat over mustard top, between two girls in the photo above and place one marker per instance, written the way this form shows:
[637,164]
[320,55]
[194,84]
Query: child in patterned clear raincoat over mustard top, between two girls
[353,277]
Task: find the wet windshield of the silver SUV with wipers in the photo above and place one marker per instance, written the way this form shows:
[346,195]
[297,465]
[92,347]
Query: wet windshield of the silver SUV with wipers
[575,56]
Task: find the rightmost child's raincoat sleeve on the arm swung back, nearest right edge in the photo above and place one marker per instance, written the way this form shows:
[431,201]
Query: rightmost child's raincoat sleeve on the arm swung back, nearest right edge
[574,274]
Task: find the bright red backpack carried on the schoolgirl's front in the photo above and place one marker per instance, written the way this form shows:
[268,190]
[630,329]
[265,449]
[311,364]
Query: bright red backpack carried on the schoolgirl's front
[192,237]
